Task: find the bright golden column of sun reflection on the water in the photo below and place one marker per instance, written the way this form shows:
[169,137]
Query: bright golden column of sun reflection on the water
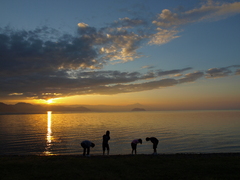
[49,136]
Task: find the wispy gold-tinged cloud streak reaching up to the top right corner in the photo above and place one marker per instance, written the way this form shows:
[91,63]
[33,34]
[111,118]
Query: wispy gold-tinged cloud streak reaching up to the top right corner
[168,22]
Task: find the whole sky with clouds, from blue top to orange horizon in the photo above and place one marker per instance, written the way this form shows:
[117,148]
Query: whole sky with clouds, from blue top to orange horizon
[166,54]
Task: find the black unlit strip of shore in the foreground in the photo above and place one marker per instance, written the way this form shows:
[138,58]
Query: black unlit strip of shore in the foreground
[174,166]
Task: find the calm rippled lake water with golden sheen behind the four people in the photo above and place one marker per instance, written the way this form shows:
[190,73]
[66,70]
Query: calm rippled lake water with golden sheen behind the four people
[177,131]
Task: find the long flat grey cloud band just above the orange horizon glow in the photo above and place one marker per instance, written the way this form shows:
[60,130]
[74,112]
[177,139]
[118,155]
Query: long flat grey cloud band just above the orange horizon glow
[93,82]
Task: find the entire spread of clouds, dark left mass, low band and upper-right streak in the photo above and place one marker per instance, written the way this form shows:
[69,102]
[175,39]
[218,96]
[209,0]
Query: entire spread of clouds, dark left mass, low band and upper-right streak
[44,62]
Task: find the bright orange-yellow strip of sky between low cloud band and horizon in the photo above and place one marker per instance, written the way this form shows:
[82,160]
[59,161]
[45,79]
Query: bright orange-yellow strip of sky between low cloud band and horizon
[201,95]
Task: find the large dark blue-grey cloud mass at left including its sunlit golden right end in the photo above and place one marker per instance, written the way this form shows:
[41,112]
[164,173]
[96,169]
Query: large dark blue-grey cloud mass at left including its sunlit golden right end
[45,50]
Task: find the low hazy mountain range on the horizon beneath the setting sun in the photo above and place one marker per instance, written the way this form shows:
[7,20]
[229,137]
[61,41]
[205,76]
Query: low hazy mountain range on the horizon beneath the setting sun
[29,108]
